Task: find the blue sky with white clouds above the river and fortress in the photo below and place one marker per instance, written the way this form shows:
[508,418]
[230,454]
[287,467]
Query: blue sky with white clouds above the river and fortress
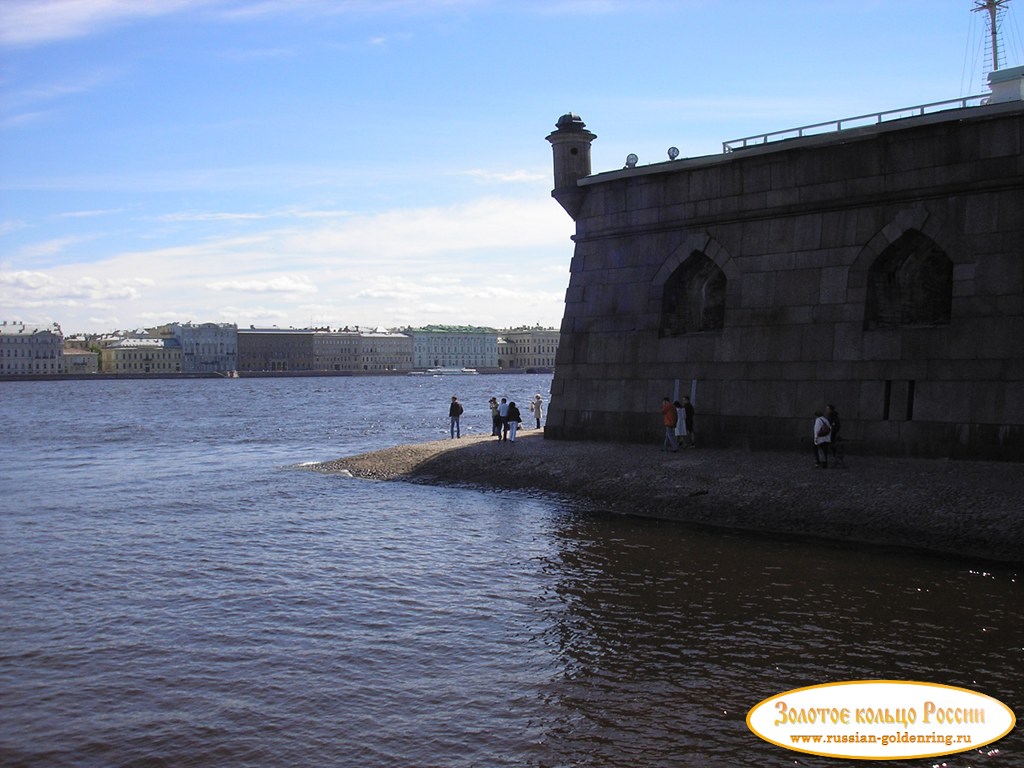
[383,163]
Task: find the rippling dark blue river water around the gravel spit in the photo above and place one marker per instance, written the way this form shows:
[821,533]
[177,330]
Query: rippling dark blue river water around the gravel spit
[177,591]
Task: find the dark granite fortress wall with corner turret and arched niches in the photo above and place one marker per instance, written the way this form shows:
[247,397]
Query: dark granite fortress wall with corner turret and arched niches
[879,269]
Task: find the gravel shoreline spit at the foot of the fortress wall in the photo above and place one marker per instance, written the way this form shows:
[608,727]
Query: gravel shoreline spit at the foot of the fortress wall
[973,509]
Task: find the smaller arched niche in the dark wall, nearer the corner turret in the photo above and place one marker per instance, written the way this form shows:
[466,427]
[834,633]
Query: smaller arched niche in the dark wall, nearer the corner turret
[694,297]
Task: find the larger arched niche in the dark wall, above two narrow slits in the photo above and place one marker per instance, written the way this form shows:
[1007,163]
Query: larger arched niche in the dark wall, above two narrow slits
[910,284]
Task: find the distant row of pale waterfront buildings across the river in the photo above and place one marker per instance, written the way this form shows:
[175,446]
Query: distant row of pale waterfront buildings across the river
[225,349]
